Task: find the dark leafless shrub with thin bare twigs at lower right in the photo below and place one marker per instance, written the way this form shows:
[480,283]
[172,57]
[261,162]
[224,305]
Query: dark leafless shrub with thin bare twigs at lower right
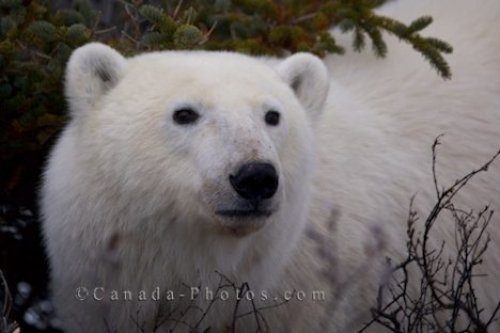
[447,299]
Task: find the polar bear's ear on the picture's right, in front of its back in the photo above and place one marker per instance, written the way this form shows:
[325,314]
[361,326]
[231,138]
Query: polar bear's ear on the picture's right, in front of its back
[308,77]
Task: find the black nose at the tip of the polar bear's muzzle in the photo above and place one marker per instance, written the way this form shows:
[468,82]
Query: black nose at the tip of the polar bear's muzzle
[255,181]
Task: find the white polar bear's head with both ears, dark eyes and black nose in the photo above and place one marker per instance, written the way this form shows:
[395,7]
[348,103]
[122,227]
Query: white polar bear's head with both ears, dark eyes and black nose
[218,141]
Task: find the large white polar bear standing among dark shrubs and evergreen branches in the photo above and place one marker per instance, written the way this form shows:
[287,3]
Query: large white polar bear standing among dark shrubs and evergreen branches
[183,175]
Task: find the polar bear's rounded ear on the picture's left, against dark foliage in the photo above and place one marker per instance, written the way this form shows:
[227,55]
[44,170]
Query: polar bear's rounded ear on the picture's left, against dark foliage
[92,71]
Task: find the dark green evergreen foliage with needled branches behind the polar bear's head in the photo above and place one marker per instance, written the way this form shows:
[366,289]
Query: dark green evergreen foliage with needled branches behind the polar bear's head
[36,41]
